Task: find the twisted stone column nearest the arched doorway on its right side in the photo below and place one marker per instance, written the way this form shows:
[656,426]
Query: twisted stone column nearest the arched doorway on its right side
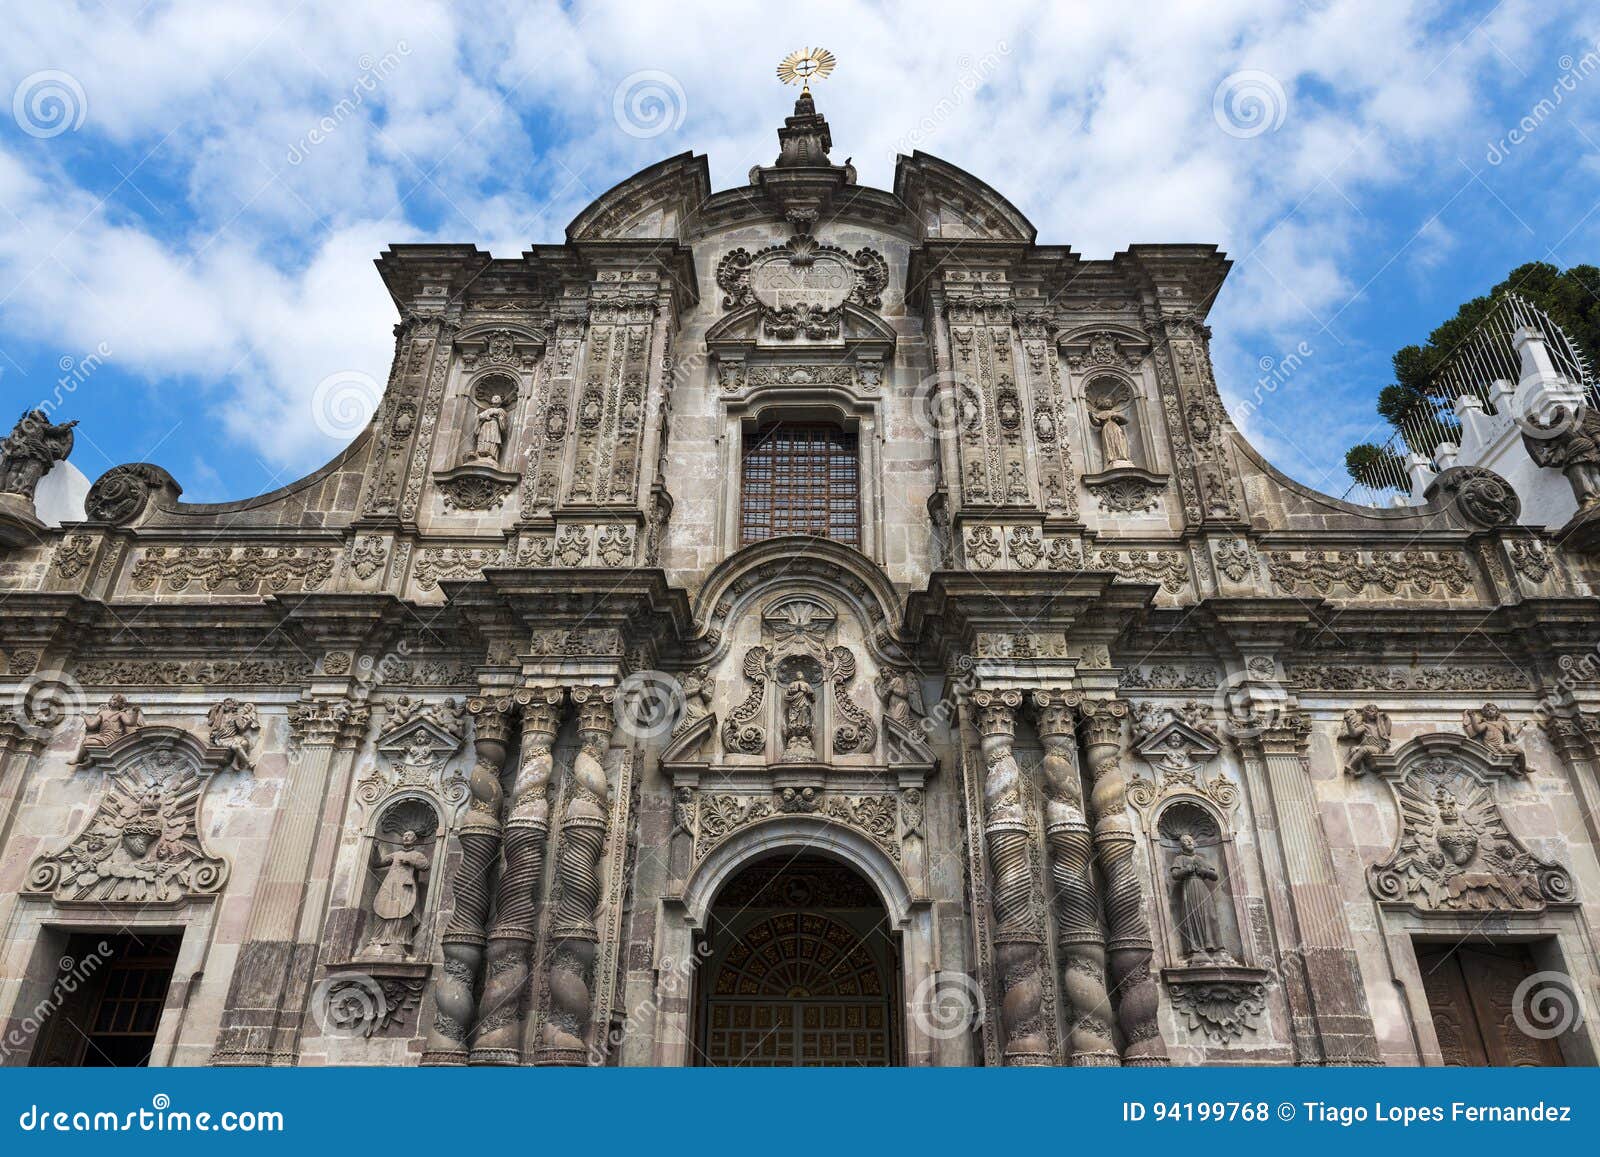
[1018,940]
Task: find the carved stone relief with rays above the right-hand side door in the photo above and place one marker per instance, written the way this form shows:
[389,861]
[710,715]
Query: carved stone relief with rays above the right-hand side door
[1455,852]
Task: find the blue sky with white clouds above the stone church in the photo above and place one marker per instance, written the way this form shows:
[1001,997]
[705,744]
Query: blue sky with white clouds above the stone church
[191,196]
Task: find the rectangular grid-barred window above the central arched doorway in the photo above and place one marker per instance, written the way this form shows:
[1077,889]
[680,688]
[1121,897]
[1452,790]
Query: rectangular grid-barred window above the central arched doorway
[801,479]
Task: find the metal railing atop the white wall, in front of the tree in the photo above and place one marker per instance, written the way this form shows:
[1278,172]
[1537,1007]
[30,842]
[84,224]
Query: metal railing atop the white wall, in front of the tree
[1486,358]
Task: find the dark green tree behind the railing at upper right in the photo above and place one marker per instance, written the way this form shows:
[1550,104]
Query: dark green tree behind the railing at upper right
[1572,298]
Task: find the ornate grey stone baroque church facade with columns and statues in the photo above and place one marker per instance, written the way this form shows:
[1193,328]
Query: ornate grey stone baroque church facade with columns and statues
[796,625]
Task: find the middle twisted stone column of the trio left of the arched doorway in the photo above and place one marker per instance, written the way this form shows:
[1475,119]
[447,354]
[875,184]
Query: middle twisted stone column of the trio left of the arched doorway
[498,1036]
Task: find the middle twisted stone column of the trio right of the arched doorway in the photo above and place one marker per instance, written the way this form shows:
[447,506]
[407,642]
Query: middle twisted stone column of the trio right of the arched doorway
[1079,934]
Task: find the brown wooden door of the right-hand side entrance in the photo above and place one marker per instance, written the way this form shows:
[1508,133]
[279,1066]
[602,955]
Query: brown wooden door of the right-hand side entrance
[1471,993]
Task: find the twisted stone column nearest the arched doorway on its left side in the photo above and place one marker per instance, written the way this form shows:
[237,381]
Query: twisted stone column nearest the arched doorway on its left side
[578,884]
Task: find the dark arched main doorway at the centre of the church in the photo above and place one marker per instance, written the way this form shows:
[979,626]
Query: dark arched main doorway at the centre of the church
[802,972]
